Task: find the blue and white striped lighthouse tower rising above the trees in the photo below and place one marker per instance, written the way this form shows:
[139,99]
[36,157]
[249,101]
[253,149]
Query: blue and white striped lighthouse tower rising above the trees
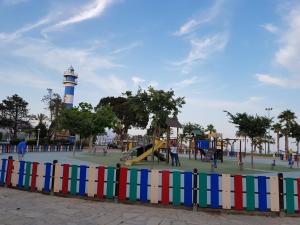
[69,83]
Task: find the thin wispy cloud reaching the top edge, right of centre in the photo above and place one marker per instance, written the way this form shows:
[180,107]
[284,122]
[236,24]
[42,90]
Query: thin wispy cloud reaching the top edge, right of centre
[205,17]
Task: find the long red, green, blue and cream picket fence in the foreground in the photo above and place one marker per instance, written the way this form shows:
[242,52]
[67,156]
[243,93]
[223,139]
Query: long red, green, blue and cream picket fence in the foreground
[189,189]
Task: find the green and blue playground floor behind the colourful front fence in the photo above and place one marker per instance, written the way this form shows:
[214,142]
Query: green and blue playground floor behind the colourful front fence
[112,158]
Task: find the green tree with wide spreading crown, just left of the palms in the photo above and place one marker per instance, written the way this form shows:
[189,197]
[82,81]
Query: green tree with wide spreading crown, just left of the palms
[254,126]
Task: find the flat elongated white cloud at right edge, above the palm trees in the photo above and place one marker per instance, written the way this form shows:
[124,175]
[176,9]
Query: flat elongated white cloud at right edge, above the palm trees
[277,81]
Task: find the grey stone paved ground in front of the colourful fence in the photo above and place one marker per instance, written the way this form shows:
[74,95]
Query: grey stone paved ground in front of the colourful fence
[19,207]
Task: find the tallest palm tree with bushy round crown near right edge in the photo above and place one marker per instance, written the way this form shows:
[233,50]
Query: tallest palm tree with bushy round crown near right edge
[287,119]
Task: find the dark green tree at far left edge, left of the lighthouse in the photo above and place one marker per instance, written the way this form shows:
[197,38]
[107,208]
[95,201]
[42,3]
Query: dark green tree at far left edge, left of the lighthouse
[14,115]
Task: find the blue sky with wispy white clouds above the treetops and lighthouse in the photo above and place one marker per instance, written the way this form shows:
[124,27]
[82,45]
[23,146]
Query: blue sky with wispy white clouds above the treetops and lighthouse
[240,56]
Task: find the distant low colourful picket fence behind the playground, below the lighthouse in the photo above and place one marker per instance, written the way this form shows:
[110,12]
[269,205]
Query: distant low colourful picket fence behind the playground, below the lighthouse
[7,148]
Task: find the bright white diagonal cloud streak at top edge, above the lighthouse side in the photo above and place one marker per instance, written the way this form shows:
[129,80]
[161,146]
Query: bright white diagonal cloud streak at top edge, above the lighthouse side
[90,11]
